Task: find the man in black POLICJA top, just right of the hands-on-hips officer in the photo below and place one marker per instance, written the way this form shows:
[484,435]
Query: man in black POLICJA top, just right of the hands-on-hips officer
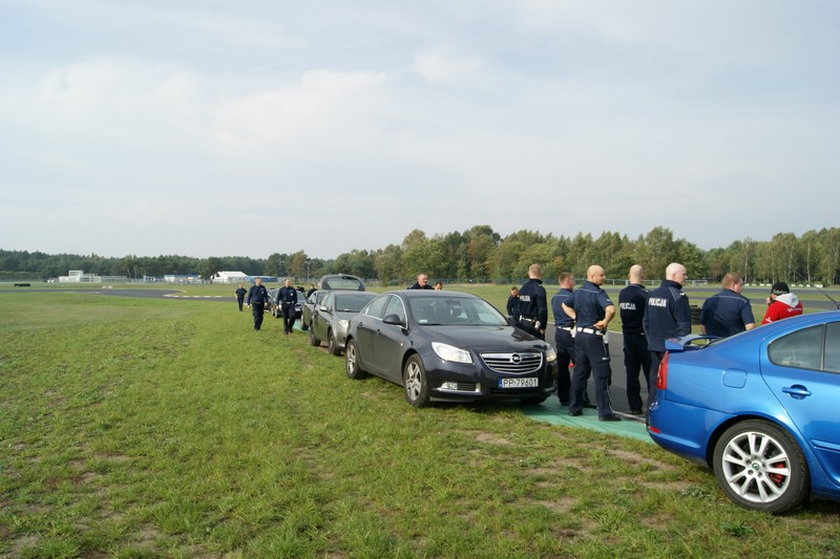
[632,302]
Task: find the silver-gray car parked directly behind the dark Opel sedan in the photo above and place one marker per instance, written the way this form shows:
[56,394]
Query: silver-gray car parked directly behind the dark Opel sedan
[331,317]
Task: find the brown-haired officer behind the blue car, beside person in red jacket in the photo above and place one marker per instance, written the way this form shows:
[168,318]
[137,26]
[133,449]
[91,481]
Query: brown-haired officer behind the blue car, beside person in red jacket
[728,312]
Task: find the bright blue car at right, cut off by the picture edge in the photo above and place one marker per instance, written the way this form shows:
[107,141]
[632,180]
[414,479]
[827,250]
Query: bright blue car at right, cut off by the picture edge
[761,408]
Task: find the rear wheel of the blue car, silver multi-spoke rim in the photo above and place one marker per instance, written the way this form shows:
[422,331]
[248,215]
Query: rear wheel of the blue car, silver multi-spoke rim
[760,467]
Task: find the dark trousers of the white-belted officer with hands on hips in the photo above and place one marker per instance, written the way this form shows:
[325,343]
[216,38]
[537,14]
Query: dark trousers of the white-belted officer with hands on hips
[591,357]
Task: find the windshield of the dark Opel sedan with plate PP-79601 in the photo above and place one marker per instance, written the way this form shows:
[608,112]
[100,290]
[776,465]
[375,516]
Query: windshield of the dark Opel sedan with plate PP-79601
[447,311]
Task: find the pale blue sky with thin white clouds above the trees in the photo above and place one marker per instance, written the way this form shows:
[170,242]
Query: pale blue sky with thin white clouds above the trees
[208,128]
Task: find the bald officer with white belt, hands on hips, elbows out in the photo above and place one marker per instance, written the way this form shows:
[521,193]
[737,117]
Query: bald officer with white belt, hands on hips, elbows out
[592,310]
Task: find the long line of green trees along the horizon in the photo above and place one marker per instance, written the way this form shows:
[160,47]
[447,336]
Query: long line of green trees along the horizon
[482,255]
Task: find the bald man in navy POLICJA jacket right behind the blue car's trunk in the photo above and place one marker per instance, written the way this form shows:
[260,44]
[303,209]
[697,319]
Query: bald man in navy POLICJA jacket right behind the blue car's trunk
[668,315]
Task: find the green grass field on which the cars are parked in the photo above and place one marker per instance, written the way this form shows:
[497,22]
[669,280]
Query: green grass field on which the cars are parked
[137,428]
